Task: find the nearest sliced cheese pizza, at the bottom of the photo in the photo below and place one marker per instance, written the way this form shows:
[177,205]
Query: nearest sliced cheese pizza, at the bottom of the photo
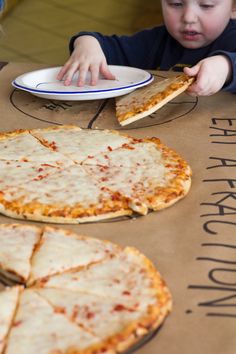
[81,295]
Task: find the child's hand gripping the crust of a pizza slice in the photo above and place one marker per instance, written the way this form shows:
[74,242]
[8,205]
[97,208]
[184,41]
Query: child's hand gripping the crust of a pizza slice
[211,75]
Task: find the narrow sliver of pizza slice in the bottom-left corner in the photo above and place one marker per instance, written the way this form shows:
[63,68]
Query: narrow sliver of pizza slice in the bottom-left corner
[9,298]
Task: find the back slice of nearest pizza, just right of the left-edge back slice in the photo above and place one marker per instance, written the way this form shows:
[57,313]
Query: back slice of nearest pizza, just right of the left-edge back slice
[61,250]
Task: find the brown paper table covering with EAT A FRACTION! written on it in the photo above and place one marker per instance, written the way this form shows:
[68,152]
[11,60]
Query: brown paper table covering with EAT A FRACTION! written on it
[192,243]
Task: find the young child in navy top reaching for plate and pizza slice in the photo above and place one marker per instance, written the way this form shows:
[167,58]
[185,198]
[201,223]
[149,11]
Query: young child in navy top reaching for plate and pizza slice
[199,37]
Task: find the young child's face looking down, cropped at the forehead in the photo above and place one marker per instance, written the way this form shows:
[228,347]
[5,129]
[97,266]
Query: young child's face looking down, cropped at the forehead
[196,23]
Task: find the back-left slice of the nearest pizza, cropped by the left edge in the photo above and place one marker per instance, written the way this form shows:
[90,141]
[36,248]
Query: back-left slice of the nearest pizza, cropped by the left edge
[16,248]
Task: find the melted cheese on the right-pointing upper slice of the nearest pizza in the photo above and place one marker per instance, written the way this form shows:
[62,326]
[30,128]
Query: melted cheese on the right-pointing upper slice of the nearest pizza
[114,278]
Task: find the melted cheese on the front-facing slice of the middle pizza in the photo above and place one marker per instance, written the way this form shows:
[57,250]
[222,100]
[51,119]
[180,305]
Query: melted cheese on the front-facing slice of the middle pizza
[70,186]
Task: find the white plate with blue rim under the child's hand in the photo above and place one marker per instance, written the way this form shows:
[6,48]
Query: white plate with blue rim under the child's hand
[43,83]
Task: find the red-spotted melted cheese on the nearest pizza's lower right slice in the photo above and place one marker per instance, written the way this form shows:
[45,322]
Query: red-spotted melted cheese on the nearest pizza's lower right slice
[104,317]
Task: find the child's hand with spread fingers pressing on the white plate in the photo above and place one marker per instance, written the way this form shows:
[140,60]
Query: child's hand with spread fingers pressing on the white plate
[87,56]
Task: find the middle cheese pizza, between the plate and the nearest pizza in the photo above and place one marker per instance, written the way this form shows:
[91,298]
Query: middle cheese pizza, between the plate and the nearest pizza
[66,174]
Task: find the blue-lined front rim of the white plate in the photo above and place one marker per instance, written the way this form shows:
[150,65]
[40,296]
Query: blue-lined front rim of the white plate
[142,83]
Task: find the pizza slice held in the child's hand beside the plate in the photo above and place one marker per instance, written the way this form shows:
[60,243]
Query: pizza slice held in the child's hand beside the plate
[146,100]
